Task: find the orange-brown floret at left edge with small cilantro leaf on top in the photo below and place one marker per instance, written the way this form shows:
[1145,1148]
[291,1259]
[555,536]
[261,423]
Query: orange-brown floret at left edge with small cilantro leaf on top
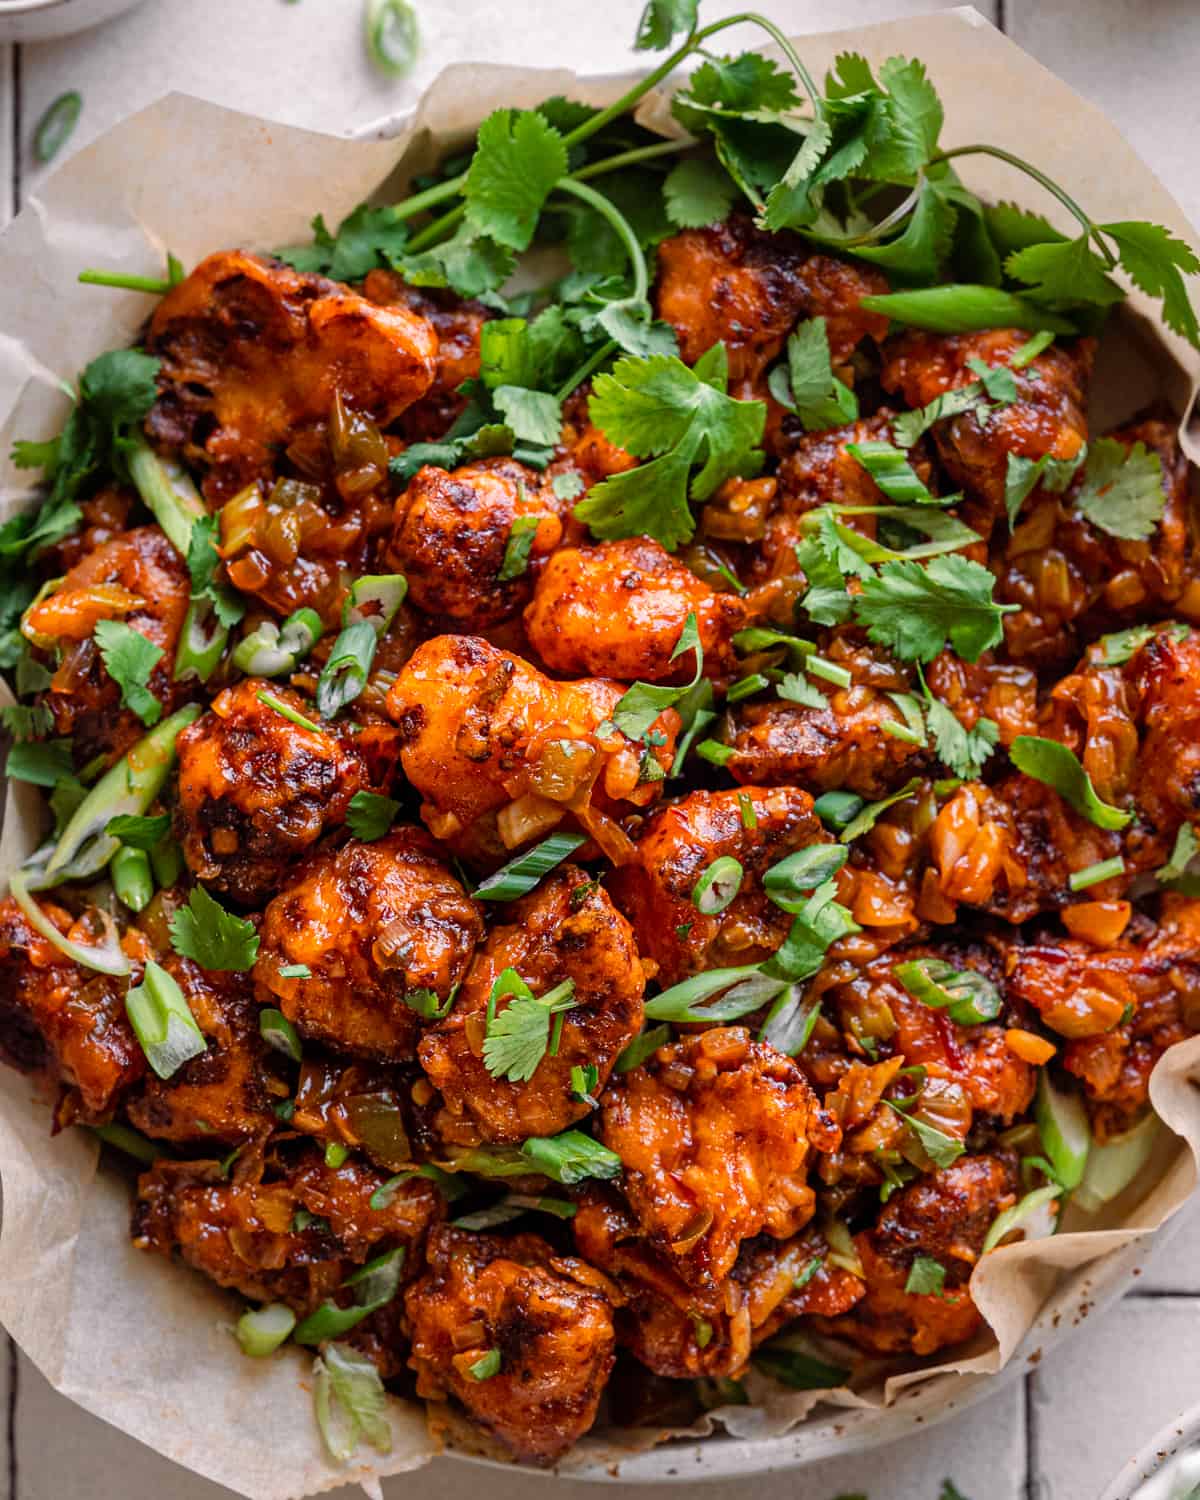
[136,578]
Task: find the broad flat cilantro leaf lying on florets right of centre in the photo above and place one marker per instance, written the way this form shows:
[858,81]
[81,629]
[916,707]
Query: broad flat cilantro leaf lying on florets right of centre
[914,611]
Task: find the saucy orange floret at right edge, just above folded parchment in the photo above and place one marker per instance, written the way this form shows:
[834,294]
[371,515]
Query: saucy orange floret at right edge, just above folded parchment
[1120,1004]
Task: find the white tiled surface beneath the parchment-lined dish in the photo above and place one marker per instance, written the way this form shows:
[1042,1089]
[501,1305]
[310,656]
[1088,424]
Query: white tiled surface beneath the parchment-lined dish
[1073,1423]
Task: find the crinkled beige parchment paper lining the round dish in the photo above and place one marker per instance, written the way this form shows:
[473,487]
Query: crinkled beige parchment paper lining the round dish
[130,1337]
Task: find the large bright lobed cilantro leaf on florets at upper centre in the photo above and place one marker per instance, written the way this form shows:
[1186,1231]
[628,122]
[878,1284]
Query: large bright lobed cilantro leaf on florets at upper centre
[661,407]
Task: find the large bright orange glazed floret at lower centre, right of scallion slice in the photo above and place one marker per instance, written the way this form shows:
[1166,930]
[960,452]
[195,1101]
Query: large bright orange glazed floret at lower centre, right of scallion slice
[713,1133]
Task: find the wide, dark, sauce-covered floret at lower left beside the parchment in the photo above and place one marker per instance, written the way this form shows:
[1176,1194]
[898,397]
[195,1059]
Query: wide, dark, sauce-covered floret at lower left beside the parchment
[245,1234]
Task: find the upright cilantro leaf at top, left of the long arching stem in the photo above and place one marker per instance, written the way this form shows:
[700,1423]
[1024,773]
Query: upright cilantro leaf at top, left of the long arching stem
[518,161]
